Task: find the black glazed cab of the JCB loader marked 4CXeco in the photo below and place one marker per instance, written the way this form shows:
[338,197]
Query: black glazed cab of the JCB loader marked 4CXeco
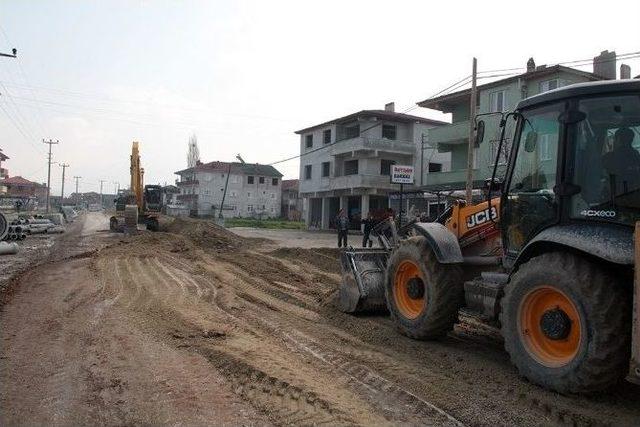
[573,178]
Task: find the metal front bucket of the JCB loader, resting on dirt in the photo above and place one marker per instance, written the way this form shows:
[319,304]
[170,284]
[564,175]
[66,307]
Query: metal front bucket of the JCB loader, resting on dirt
[363,275]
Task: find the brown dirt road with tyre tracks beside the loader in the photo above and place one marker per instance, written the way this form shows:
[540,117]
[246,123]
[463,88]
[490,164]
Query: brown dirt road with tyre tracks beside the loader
[197,326]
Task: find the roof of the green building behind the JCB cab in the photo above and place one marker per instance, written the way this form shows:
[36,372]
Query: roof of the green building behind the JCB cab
[438,102]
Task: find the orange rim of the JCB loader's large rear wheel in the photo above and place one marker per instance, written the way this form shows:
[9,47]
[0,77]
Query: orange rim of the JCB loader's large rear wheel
[549,326]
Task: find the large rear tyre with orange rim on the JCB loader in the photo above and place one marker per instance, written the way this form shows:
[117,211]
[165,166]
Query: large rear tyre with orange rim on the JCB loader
[566,323]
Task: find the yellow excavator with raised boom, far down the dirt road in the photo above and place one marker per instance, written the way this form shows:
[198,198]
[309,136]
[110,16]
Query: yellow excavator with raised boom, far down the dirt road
[141,203]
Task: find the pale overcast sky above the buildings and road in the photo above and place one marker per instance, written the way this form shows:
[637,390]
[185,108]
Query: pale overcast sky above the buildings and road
[243,76]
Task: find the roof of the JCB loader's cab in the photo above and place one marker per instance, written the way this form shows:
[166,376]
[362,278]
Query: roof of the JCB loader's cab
[582,89]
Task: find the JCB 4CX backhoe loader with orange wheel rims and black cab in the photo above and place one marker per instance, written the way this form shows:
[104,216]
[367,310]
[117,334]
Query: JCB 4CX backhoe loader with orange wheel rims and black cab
[550,261]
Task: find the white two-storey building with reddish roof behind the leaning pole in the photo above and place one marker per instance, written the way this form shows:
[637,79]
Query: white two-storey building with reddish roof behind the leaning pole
[252,190]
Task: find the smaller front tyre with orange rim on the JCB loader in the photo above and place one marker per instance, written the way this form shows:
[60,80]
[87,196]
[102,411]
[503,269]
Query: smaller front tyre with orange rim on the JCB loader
[423,296]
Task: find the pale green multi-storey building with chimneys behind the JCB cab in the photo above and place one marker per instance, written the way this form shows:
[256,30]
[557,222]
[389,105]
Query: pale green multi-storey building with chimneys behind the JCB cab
[497,96]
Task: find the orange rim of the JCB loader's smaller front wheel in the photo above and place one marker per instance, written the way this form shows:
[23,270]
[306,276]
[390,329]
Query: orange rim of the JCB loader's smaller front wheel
[409,289]
